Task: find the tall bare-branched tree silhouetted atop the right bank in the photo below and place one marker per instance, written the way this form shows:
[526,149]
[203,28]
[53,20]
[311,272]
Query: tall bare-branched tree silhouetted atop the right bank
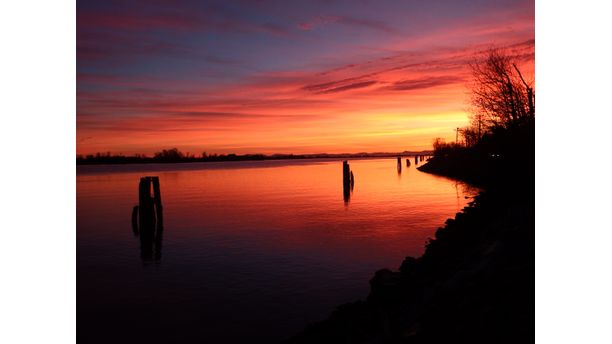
[500,96]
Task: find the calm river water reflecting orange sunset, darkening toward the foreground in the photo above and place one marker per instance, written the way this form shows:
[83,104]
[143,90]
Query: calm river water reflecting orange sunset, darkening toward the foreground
[252,251]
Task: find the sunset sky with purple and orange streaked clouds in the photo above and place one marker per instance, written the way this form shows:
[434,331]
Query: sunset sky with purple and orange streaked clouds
[283,76]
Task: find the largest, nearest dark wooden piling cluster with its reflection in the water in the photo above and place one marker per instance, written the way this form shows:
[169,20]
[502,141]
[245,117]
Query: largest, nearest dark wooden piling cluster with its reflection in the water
[149,224]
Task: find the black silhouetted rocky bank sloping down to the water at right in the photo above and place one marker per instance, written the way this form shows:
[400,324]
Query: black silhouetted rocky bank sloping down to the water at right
[473,284]
